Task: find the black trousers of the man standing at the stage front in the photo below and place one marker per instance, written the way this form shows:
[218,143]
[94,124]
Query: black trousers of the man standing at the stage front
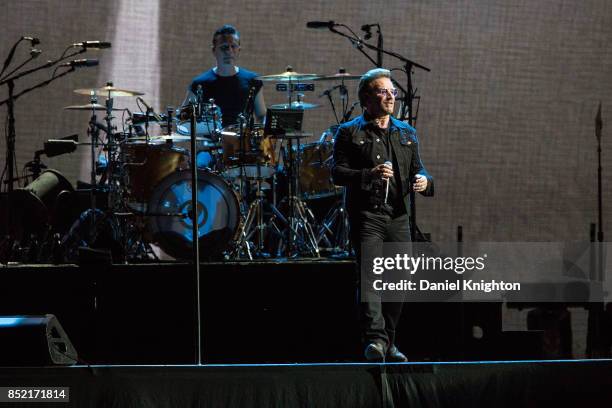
[378,319]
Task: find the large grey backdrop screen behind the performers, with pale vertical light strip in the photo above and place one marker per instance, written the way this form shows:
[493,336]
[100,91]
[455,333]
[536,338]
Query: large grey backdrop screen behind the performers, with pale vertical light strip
[506,119]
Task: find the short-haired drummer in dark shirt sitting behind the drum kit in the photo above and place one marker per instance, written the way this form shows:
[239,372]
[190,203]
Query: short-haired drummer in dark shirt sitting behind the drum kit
[226,83]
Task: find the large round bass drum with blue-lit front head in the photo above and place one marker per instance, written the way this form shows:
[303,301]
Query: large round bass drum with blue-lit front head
[218,215]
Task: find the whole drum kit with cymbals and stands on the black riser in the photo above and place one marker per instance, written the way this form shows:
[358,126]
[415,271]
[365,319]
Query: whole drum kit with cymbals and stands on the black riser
[243,210]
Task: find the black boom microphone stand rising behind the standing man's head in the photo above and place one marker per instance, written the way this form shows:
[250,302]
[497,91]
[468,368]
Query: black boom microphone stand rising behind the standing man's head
[408,92]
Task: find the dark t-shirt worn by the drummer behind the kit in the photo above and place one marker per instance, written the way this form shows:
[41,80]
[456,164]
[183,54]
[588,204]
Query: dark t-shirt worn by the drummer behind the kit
[230,93]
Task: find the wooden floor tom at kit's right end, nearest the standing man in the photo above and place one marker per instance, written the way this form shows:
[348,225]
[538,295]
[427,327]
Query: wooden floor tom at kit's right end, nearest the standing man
[315,171]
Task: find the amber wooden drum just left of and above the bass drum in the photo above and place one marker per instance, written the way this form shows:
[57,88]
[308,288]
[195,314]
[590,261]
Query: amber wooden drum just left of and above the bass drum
[149,163]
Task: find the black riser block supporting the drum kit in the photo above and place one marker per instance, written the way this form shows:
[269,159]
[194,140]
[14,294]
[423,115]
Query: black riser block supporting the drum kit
[145,313]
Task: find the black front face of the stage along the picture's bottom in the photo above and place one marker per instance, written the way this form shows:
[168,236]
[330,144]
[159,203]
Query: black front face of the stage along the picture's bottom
[510,384]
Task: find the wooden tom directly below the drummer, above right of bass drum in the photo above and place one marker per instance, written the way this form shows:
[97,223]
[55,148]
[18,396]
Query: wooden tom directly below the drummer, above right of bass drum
[258,148]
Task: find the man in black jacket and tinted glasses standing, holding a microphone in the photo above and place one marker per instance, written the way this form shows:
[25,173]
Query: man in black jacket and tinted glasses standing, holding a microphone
[377,193]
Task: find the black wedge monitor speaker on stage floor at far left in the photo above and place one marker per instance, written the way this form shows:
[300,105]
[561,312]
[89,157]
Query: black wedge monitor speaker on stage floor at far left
[34,341]
